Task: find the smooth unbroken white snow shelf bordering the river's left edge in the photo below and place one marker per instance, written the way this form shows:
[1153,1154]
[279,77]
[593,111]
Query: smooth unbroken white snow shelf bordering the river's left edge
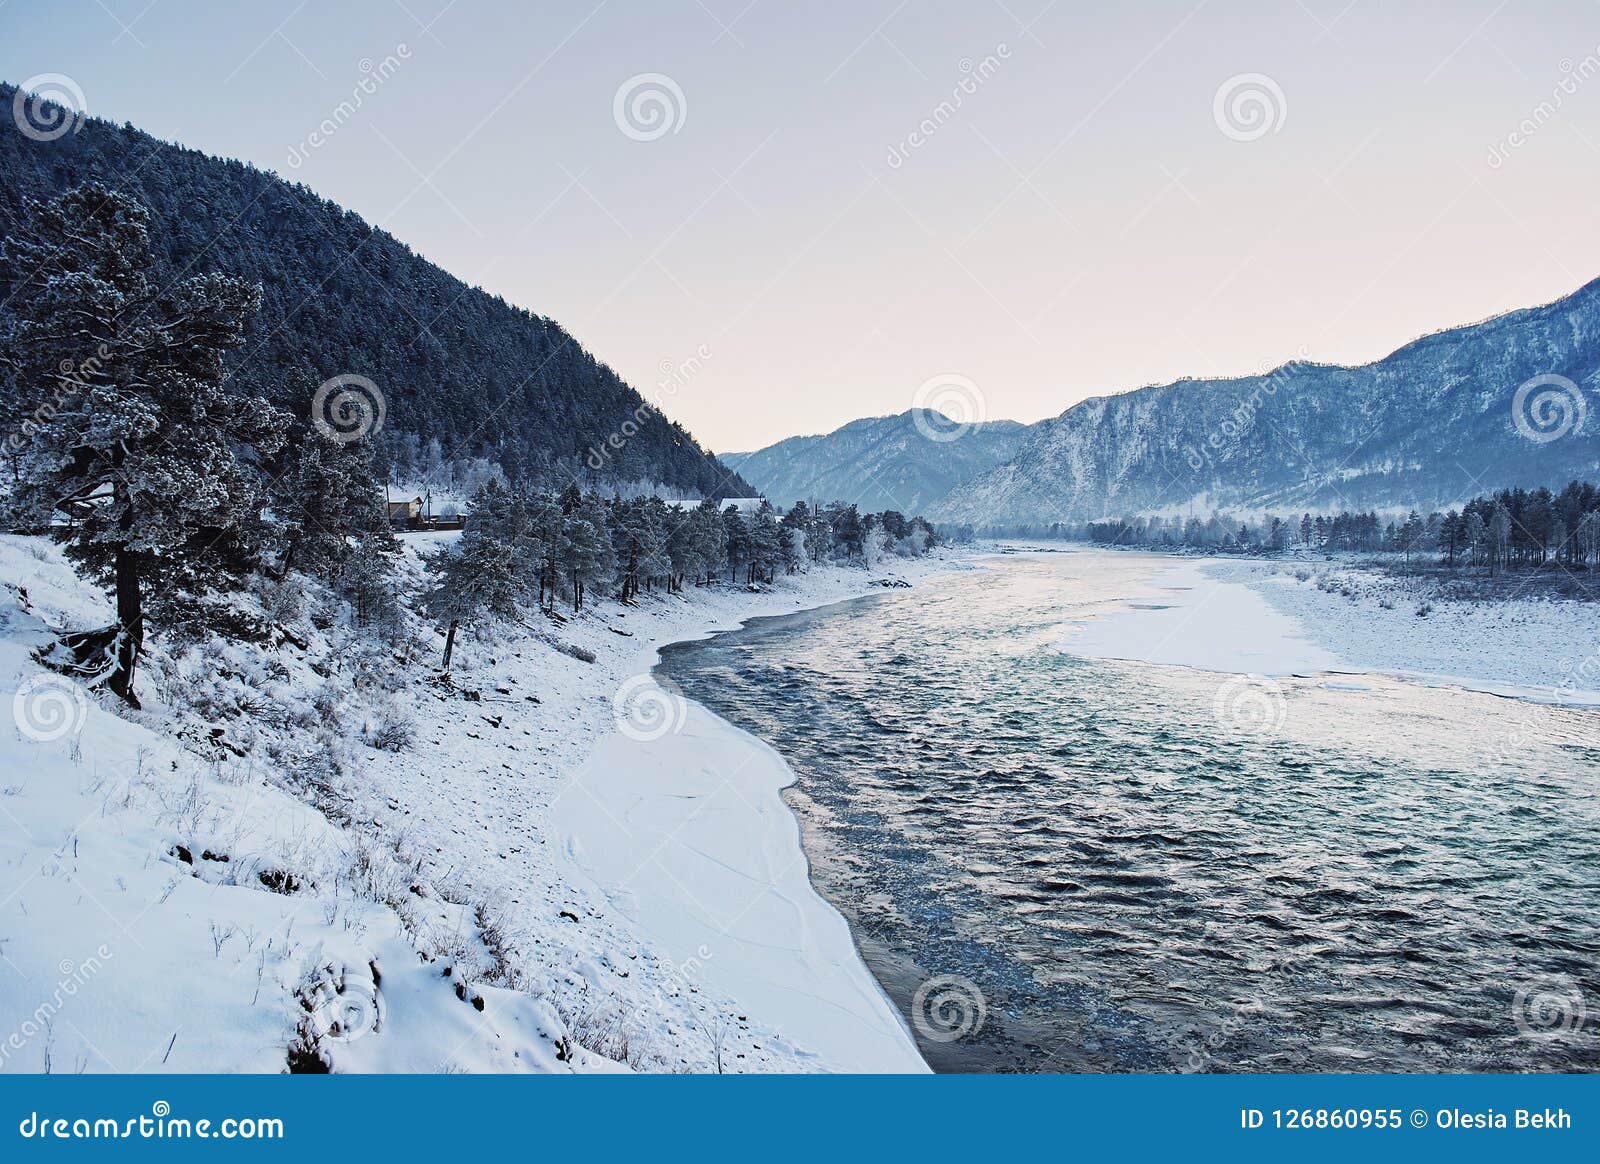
[689,837]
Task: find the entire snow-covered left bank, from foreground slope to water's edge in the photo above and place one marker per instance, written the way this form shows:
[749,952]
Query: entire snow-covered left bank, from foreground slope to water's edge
[193,888]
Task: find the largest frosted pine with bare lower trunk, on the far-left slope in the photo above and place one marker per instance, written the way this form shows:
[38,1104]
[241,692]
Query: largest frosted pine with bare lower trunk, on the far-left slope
[137,455]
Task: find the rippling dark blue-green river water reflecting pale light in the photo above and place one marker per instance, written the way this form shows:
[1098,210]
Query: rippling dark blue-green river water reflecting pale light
[1057,864]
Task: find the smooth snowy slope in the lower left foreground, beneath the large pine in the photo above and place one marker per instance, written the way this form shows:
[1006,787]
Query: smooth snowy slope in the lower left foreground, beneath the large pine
[138,933]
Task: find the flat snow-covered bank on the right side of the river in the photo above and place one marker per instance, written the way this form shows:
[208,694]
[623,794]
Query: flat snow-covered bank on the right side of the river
[1287,618]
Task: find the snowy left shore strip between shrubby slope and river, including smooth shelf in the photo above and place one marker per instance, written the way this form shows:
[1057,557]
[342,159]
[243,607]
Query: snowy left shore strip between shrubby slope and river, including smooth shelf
[572,813]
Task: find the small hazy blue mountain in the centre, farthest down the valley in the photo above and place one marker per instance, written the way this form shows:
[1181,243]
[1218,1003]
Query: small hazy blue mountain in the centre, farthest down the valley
[902,463]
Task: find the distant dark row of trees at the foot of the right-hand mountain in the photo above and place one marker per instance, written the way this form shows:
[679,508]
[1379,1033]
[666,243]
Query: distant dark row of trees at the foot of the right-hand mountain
[1506,528]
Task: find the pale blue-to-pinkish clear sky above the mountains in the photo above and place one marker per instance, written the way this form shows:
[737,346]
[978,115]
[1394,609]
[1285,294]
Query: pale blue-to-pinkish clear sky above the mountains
[1087,221]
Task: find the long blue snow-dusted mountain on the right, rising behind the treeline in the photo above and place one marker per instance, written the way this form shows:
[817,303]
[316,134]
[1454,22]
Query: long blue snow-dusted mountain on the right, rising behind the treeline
[1498,404]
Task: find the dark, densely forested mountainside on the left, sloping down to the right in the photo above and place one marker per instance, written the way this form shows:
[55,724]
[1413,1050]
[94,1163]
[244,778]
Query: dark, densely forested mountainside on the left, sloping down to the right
[455,364]
